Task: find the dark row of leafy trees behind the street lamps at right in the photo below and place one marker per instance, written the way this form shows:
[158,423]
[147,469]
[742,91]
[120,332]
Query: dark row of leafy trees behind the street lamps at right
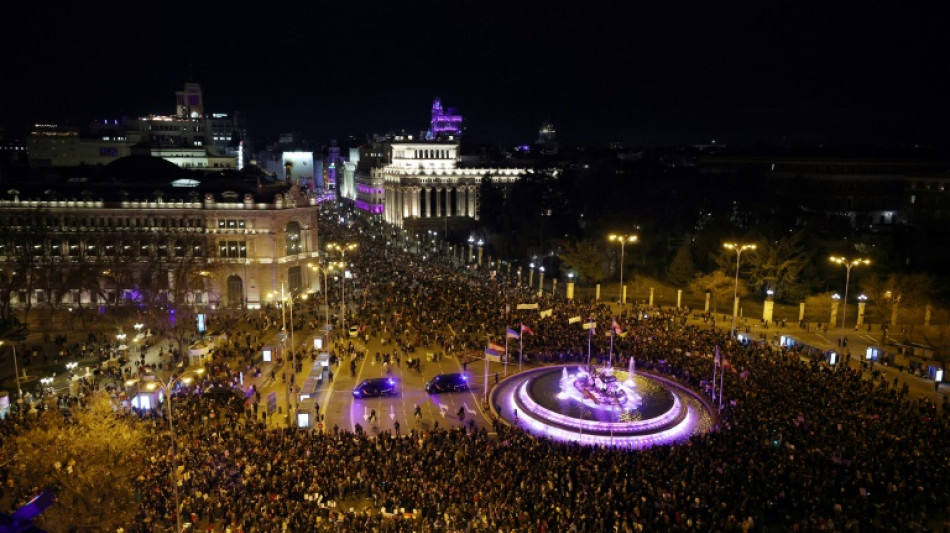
[682,218]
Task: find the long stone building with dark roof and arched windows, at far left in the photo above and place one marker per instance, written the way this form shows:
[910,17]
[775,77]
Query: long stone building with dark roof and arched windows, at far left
[247,232]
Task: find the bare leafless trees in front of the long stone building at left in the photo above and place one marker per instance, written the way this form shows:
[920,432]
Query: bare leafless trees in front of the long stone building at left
[148,277]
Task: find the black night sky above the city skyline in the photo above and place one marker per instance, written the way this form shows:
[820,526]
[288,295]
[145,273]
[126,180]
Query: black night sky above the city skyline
[674,73]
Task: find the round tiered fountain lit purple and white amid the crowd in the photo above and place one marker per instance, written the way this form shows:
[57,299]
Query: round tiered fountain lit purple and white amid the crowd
[601,405]
